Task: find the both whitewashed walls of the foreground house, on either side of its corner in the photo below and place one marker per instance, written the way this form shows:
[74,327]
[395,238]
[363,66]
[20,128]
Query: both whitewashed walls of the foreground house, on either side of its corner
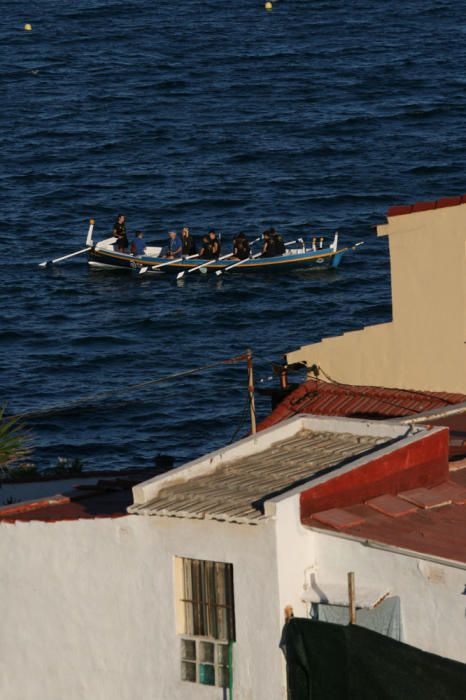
[87,608]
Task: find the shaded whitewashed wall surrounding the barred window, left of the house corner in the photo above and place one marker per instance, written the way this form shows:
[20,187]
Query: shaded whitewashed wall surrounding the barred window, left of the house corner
[87,609]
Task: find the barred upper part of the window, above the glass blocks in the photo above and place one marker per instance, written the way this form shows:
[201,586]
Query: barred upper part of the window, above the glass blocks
[208,599]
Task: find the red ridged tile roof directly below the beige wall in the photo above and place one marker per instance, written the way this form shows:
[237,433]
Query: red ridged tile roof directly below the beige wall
[324,398]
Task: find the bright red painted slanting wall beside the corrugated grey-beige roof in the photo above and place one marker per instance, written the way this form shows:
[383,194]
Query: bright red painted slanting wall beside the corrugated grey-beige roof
[422,463]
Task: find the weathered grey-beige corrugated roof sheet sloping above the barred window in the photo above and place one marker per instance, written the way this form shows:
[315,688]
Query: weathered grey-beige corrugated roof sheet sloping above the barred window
[236,491]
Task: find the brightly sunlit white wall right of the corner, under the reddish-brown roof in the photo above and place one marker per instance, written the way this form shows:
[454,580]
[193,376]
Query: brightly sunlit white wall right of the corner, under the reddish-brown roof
[432,594]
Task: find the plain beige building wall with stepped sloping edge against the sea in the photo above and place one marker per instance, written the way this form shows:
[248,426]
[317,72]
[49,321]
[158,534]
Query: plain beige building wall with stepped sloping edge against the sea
[424,347]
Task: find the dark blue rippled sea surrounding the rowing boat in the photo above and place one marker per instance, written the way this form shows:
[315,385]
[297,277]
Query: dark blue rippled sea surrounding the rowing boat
[314,117]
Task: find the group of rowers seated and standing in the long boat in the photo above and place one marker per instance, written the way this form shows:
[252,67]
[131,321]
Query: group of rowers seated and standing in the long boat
[185,245]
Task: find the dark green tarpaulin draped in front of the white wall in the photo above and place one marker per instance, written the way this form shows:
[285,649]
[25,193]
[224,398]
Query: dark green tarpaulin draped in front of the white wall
[330,662]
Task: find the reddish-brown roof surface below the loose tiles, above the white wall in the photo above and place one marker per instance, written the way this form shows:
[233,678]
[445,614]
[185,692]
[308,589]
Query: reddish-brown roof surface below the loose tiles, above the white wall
[424,527]
